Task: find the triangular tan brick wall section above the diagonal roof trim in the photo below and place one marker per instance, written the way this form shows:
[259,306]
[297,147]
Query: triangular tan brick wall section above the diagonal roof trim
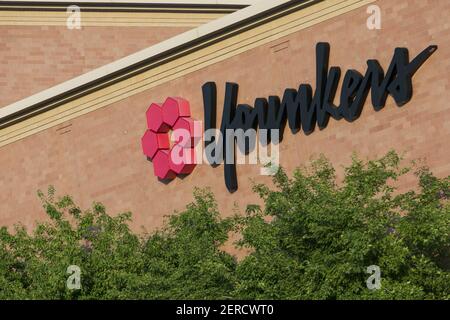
[41,56]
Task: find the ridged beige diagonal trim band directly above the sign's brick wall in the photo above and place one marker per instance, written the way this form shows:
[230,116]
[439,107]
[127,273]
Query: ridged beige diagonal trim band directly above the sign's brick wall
[184,65]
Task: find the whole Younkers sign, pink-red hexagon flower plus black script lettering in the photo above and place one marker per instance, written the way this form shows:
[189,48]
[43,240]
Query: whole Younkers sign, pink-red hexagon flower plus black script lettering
[300,109]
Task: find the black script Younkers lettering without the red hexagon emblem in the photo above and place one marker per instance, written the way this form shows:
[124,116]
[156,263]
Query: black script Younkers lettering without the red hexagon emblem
[302,109]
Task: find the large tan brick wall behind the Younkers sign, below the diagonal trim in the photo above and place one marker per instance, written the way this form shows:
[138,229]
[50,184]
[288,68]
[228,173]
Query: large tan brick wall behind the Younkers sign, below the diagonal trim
[97,155]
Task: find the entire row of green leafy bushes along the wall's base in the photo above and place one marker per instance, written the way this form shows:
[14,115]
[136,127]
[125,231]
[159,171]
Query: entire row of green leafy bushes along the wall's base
[313,239]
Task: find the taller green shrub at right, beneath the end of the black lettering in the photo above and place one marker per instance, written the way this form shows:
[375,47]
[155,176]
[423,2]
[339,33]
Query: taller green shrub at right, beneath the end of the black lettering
[321,236]
